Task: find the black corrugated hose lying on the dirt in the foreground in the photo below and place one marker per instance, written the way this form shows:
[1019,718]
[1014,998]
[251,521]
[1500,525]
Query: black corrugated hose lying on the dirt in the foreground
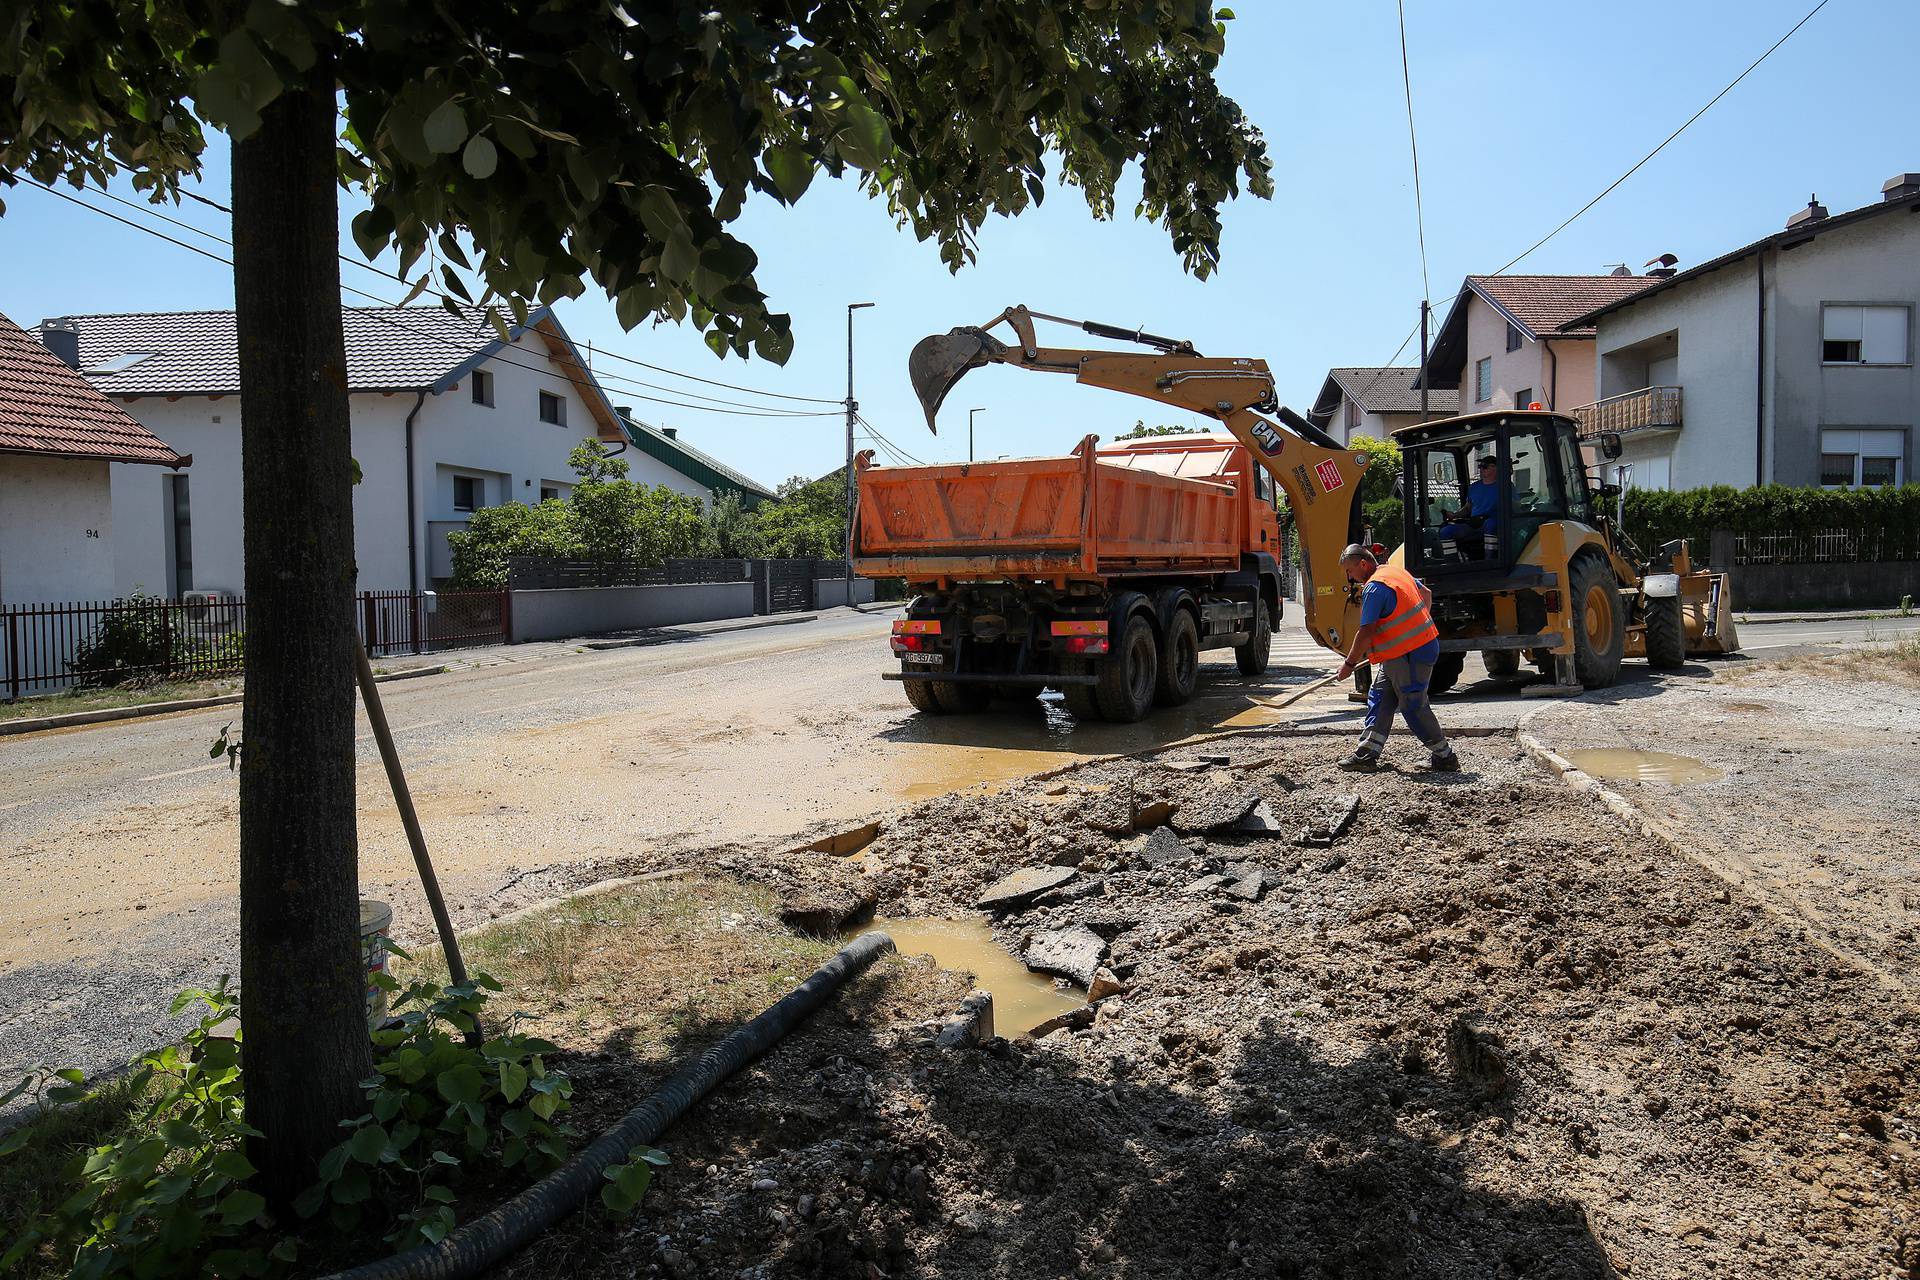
[506,1229]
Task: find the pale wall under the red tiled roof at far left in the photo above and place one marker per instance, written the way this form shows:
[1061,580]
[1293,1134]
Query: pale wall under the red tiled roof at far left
[57,529]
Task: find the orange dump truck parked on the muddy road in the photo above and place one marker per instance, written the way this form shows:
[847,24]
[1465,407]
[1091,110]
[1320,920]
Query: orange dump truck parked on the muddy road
[1103,575]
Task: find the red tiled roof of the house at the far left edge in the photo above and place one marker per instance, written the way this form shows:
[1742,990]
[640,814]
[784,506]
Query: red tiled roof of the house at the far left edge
[49,408]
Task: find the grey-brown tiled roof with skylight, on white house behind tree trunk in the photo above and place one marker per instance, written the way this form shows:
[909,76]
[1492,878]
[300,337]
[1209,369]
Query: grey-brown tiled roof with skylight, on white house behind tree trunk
[197,352]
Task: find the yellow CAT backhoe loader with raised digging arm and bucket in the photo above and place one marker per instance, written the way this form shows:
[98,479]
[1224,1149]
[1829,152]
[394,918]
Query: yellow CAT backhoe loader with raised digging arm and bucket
[1541,569]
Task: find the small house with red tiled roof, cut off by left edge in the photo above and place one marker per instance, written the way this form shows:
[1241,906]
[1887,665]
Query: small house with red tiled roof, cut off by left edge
[59,444]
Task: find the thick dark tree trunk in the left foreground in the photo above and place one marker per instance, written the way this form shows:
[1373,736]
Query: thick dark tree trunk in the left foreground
[300,974]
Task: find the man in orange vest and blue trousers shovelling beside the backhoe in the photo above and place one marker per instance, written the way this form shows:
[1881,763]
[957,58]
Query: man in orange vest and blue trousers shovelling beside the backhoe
[1399,638]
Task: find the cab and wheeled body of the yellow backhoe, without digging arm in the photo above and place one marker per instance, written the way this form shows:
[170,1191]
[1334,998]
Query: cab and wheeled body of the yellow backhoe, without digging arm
[1516,540]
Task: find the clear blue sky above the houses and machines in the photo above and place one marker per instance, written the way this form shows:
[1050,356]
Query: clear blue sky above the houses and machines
[1525,112]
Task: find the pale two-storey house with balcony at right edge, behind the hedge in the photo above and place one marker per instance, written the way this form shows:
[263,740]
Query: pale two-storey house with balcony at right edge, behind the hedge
[1787,362]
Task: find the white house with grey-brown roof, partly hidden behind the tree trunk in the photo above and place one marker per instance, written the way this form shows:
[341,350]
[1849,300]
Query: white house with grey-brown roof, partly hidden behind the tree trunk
[446,419]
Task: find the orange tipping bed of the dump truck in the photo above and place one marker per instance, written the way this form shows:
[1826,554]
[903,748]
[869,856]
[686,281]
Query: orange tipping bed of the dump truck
[1095,513]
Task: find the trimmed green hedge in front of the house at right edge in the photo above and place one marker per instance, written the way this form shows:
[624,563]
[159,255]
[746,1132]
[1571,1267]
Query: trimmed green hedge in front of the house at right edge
[1656,517]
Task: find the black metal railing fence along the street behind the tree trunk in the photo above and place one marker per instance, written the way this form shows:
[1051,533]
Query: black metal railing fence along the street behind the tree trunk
[149,640]
